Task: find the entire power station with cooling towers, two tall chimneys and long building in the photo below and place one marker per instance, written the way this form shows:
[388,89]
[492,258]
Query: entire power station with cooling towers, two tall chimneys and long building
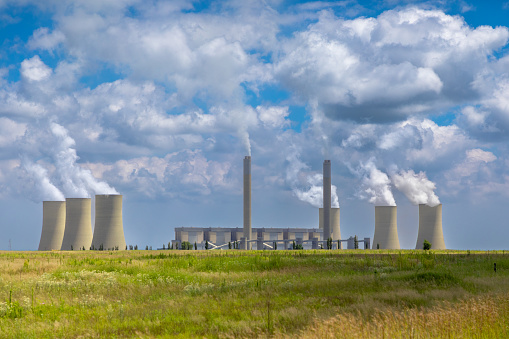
[67,226]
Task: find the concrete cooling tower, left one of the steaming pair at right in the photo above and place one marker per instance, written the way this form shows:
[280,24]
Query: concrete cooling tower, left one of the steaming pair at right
[386,228]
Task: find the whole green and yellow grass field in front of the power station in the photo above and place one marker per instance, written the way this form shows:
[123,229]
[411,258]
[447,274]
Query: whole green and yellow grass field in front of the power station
[317,293]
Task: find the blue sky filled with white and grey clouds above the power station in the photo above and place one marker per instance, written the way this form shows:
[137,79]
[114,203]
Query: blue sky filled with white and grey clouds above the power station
[161,101]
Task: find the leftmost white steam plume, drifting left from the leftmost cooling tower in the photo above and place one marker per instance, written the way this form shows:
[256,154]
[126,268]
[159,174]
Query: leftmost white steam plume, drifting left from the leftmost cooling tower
[46,190]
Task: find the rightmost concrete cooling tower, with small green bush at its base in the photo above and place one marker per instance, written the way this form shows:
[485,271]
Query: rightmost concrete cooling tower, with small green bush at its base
[430,227]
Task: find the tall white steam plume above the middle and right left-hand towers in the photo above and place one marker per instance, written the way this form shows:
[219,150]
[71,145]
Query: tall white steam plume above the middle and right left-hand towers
[76,181]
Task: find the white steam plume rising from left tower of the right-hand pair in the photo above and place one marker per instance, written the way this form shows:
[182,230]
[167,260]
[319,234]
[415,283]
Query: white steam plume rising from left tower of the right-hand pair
[375,185]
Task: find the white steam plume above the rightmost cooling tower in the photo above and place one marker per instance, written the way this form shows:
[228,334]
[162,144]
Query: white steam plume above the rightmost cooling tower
[416,187]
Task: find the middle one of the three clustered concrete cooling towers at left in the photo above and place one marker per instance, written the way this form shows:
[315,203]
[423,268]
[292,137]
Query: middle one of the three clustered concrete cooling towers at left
[78,224]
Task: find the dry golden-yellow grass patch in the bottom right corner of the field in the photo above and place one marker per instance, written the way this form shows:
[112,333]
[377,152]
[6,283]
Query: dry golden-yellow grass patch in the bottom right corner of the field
[479,317]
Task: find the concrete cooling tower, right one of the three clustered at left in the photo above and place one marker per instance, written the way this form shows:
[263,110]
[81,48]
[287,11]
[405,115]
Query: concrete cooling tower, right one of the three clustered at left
[109,228]
